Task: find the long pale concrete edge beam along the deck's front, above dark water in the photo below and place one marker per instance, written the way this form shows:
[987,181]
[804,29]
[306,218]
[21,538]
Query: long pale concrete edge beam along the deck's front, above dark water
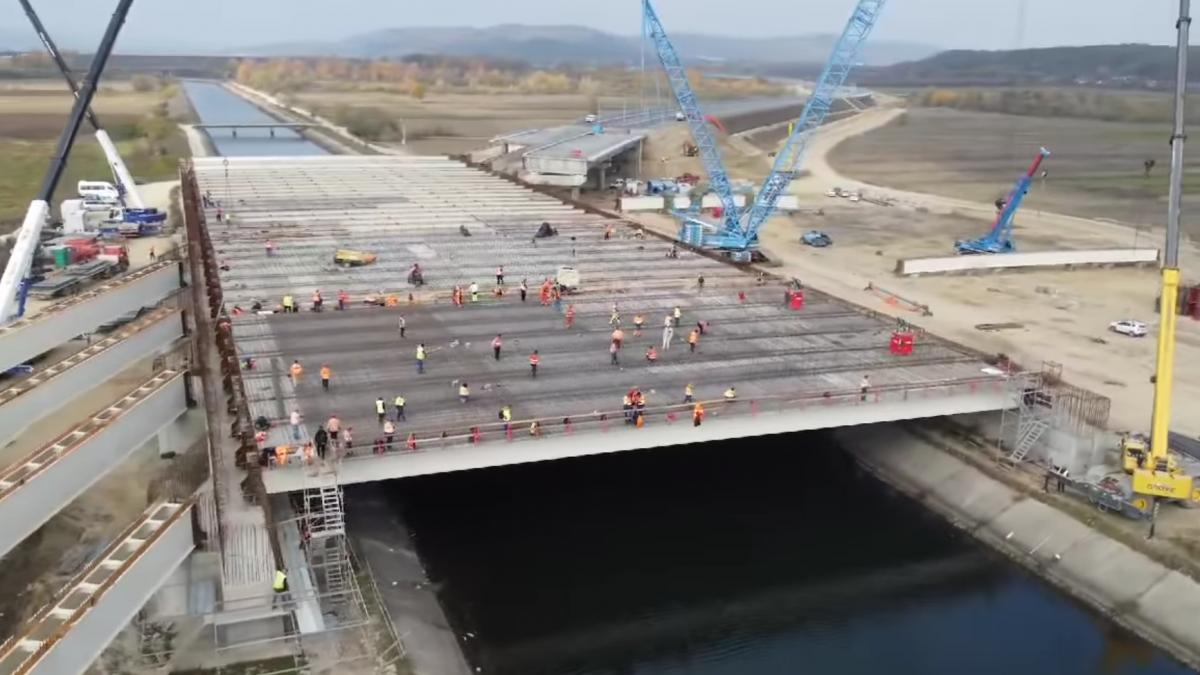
[501,452]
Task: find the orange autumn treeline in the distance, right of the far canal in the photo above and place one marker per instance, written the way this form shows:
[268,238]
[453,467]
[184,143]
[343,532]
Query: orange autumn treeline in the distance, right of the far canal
[421,74]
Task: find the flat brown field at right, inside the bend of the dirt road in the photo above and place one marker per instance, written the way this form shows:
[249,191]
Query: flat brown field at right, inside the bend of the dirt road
[1095,170]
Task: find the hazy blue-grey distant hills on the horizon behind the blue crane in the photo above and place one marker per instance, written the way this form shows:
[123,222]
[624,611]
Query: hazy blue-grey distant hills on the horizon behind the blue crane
[549,45]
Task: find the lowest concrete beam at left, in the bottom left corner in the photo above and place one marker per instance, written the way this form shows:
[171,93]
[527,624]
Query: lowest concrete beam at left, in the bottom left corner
[69,635]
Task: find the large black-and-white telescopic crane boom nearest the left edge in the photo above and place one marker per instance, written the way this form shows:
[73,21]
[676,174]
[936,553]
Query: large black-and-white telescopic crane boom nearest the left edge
[29,236]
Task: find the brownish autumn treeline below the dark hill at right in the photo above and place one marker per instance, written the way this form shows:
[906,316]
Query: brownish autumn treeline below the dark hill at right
[1072,103]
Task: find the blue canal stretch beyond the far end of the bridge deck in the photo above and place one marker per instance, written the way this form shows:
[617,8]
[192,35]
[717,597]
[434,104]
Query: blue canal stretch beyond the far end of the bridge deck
[217,105]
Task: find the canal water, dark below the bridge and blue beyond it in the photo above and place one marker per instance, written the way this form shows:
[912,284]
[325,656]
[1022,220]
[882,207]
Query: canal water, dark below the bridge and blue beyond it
[746,558]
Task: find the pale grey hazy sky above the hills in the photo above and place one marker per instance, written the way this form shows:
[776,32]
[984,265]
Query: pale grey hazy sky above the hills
[181,26]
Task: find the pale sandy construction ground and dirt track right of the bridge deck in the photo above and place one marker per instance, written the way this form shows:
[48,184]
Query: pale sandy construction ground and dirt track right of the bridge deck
[1063,316]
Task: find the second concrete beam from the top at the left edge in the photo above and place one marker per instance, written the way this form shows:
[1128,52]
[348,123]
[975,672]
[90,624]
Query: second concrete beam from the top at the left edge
[53,389]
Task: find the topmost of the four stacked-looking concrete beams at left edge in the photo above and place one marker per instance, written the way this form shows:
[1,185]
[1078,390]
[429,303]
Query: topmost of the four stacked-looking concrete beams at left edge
[27,338]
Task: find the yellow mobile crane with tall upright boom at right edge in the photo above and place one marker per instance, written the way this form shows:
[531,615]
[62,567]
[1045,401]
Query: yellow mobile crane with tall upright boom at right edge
[1156,470]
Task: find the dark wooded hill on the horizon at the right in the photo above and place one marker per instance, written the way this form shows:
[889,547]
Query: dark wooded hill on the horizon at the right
[1143,67]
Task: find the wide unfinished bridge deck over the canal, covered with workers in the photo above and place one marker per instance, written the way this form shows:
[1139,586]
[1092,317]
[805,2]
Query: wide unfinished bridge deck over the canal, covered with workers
[794,369]
